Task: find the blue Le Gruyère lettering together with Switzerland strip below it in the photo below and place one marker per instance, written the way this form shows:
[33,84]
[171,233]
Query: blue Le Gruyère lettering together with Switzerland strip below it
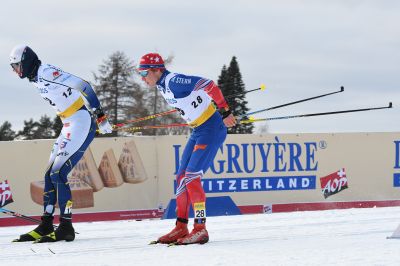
[287,165]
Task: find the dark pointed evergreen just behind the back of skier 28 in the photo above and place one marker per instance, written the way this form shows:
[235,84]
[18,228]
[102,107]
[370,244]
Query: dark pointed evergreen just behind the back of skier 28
[230,82]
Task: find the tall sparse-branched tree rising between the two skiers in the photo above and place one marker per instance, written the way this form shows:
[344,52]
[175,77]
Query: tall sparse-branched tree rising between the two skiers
[120,96]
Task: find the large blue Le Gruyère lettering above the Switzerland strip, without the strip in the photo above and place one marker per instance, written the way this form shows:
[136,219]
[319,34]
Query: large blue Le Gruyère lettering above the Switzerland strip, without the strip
[279,157]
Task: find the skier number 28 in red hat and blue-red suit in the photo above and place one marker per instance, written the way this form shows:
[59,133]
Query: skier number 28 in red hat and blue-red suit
[192,96]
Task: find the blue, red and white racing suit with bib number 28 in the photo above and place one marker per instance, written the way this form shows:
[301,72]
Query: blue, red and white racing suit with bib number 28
[192,96]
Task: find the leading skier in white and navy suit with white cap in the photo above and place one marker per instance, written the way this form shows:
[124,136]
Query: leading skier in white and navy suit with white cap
[79,109]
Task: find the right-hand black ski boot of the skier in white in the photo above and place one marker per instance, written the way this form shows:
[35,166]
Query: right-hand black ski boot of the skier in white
[64,231]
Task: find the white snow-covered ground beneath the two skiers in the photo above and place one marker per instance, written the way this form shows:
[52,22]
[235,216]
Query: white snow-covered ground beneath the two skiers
[335,237]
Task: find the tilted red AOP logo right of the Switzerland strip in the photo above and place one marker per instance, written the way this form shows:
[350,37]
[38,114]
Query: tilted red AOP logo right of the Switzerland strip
[334,183]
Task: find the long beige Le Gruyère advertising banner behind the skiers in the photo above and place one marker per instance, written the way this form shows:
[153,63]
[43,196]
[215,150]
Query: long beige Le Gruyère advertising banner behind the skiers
[135,176]
